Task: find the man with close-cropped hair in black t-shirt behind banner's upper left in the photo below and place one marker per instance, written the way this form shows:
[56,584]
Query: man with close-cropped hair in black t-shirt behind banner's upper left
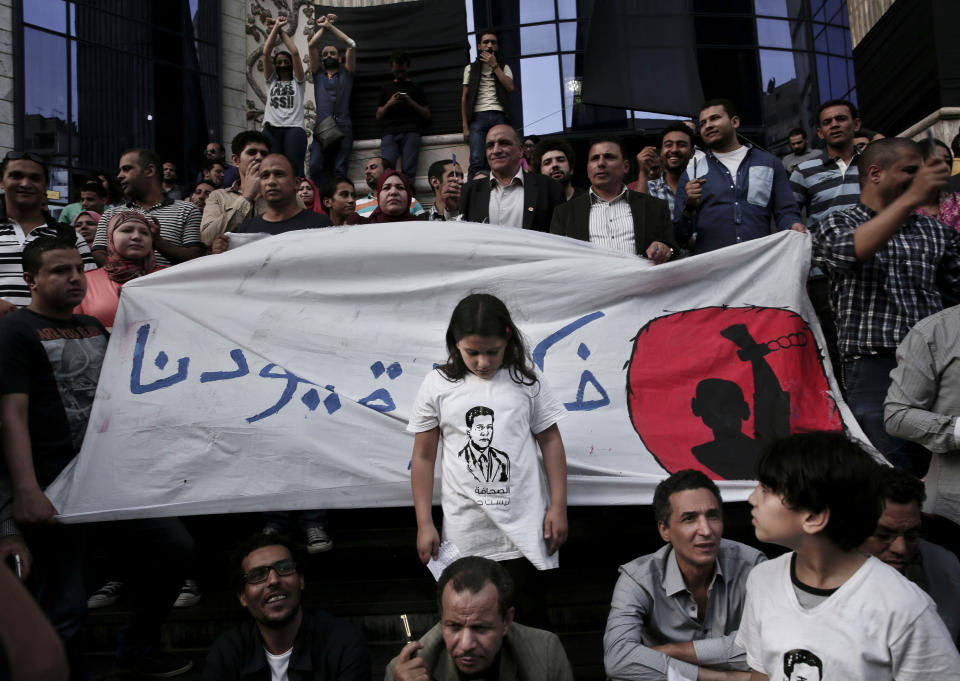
[278,185]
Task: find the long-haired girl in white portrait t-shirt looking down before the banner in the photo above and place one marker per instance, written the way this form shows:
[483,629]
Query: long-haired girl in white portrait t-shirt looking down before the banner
[494,421]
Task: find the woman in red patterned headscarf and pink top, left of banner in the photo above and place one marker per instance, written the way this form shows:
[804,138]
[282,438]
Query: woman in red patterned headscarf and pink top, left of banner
[129,255]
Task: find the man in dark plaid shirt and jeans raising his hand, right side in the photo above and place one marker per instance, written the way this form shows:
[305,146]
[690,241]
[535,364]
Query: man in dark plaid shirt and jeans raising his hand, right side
[888,269]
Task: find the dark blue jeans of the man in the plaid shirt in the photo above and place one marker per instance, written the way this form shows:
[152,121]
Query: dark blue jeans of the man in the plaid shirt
[867,380]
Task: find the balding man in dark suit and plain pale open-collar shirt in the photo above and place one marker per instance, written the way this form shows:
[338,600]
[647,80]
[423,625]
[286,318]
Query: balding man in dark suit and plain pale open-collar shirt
[510,197]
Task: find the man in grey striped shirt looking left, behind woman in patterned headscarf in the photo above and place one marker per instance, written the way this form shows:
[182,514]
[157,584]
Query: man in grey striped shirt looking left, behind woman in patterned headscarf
[176,231]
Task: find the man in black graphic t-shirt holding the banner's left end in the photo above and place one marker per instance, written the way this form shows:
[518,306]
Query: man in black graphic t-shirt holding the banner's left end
[50,362]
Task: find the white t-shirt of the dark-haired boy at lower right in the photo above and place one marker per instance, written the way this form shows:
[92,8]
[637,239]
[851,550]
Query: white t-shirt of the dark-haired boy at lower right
[877,626]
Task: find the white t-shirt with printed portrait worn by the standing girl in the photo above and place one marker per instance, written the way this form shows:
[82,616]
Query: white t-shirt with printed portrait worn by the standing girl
[494,494]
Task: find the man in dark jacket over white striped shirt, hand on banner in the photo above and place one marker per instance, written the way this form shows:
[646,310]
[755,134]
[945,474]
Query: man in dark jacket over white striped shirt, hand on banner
[612,216]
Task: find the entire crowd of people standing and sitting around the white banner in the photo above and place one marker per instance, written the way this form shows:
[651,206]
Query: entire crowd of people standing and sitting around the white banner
[858,595]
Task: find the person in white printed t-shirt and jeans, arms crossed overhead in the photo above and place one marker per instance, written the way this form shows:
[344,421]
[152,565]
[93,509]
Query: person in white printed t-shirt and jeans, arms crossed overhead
[283,113]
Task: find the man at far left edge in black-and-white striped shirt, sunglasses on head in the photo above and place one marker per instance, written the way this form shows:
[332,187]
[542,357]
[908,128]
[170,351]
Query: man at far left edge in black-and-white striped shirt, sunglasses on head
[23,219]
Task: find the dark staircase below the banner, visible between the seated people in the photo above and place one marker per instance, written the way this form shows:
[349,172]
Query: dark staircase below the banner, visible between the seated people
[372,575]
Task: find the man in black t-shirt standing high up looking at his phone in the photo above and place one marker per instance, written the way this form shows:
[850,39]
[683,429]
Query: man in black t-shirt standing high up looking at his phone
[402,111]
